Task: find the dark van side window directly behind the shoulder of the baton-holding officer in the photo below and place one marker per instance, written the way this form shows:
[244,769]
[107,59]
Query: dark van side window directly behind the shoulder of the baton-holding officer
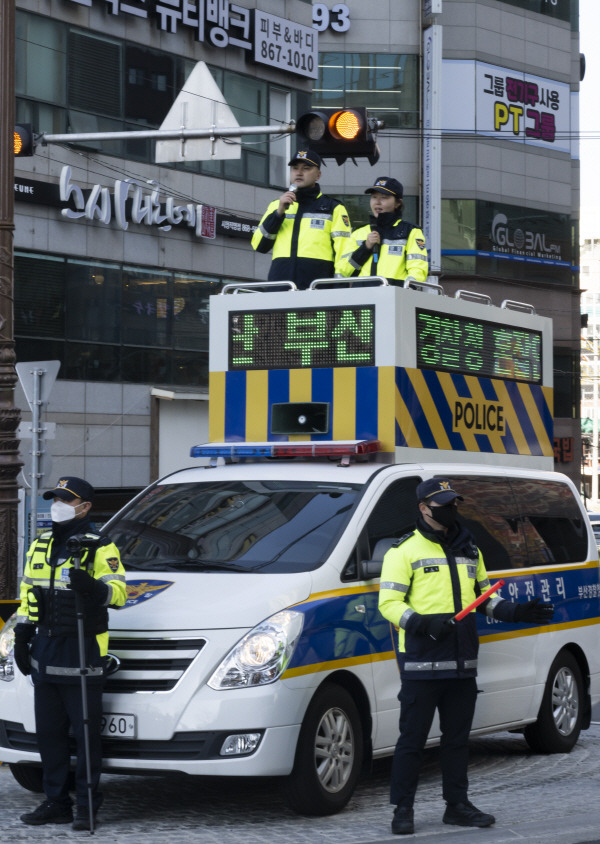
[491,513]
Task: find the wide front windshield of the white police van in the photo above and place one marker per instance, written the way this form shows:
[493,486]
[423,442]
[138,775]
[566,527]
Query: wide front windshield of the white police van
[242,526]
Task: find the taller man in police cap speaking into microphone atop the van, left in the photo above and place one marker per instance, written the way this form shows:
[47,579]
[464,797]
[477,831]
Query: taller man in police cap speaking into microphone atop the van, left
[307,231]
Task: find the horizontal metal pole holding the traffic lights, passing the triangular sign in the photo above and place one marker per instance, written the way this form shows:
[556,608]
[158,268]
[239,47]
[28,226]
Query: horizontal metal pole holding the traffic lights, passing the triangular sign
[167,134]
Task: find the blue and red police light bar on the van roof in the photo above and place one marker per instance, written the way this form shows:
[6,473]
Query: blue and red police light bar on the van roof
[331,448]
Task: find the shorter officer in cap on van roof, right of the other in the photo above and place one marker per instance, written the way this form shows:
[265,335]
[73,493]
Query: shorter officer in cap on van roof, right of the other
[388,245]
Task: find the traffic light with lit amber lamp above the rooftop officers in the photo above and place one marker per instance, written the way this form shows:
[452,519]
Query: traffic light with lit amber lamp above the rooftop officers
[340,133]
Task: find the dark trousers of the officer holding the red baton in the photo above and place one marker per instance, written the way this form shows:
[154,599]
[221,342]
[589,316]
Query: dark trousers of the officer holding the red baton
[455,702]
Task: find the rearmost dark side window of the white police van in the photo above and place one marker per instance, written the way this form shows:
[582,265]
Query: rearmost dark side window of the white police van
[552,522]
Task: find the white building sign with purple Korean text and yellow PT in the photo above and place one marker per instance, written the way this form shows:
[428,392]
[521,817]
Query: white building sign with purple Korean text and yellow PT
[506,104]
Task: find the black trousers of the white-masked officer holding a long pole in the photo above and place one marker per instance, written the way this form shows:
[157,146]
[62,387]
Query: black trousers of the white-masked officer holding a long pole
[58,705]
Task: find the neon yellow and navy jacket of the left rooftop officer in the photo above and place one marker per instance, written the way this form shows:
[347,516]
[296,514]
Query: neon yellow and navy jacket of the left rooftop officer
[308,242]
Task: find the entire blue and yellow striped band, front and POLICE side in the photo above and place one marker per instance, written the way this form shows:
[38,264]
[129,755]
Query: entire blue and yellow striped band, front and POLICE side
[399,407]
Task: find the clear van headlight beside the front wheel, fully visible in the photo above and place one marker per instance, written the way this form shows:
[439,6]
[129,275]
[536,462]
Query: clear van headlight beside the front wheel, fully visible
[262,655]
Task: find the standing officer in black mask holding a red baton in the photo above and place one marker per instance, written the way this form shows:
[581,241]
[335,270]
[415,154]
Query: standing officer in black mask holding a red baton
[427,578]
